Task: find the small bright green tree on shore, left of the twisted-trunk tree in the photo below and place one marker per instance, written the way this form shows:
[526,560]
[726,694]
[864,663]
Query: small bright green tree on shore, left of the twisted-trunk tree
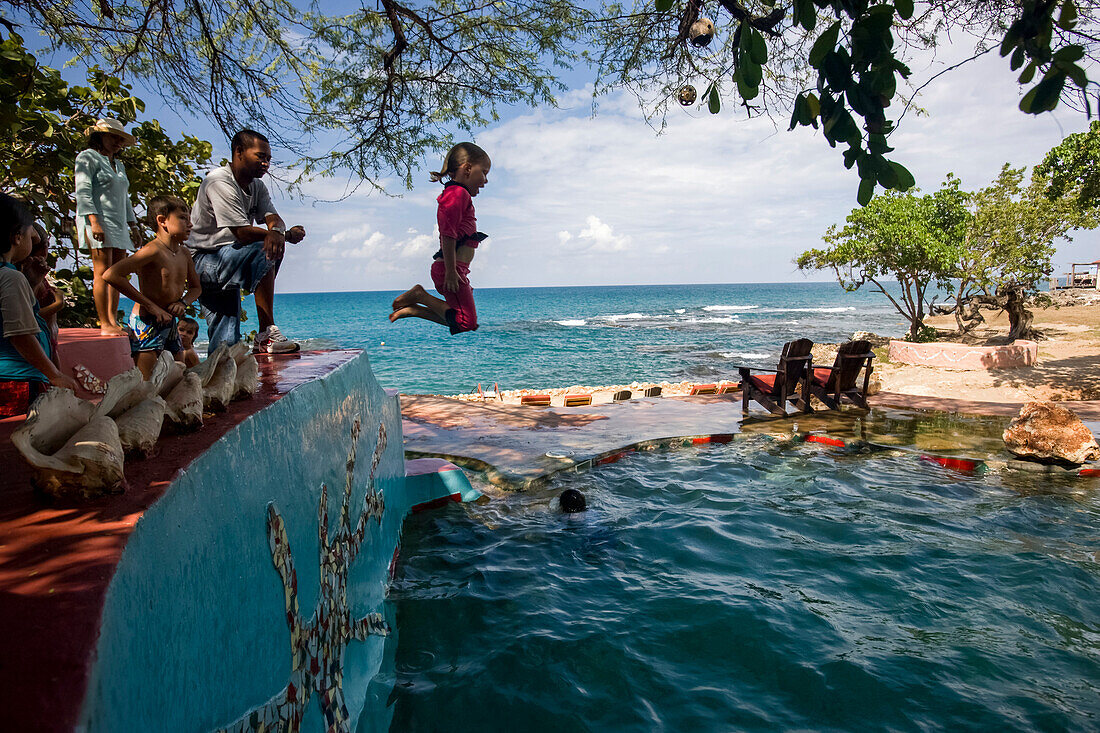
[904,237]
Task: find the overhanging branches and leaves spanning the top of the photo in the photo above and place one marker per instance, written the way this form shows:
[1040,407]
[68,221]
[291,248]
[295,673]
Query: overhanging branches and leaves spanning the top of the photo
[377,87]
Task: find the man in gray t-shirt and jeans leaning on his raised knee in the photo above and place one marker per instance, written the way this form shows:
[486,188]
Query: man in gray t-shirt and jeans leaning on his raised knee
[232,253]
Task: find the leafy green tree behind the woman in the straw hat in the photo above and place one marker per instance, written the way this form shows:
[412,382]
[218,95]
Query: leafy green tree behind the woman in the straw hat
[45,122]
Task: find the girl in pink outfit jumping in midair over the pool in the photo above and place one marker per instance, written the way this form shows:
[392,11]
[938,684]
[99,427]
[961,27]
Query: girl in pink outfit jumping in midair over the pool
[467,166]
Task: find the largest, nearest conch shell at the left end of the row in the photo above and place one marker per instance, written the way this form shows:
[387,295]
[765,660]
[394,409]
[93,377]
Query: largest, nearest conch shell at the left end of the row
[72,451]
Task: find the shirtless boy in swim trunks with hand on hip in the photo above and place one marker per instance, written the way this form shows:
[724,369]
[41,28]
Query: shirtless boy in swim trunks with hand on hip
[167,283]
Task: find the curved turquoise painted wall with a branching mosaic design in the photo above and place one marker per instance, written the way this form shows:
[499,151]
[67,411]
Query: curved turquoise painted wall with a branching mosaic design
[200,630]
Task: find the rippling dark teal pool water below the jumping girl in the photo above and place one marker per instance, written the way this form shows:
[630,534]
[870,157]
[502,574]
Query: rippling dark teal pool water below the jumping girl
[744,587]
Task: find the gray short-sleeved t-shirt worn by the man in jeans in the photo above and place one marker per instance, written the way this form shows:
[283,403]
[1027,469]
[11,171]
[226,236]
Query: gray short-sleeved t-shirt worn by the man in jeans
[223,205]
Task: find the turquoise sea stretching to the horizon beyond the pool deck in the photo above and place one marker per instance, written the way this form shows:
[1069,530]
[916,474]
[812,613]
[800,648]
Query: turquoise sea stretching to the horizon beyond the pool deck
[565,336]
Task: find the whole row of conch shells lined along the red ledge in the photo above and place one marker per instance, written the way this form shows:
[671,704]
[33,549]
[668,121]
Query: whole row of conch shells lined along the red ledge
[76,448]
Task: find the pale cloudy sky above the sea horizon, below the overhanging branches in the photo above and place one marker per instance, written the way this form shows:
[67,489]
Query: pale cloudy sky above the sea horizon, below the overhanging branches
[576,199]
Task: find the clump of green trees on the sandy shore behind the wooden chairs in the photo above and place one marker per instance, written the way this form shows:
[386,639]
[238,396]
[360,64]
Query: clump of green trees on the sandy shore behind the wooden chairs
[992,248]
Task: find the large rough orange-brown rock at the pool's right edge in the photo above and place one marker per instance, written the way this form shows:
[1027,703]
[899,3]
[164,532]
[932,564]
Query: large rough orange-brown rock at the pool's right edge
[1046,432]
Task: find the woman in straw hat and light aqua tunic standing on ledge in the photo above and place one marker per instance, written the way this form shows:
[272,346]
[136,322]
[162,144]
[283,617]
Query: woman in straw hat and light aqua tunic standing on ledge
[104,214]
